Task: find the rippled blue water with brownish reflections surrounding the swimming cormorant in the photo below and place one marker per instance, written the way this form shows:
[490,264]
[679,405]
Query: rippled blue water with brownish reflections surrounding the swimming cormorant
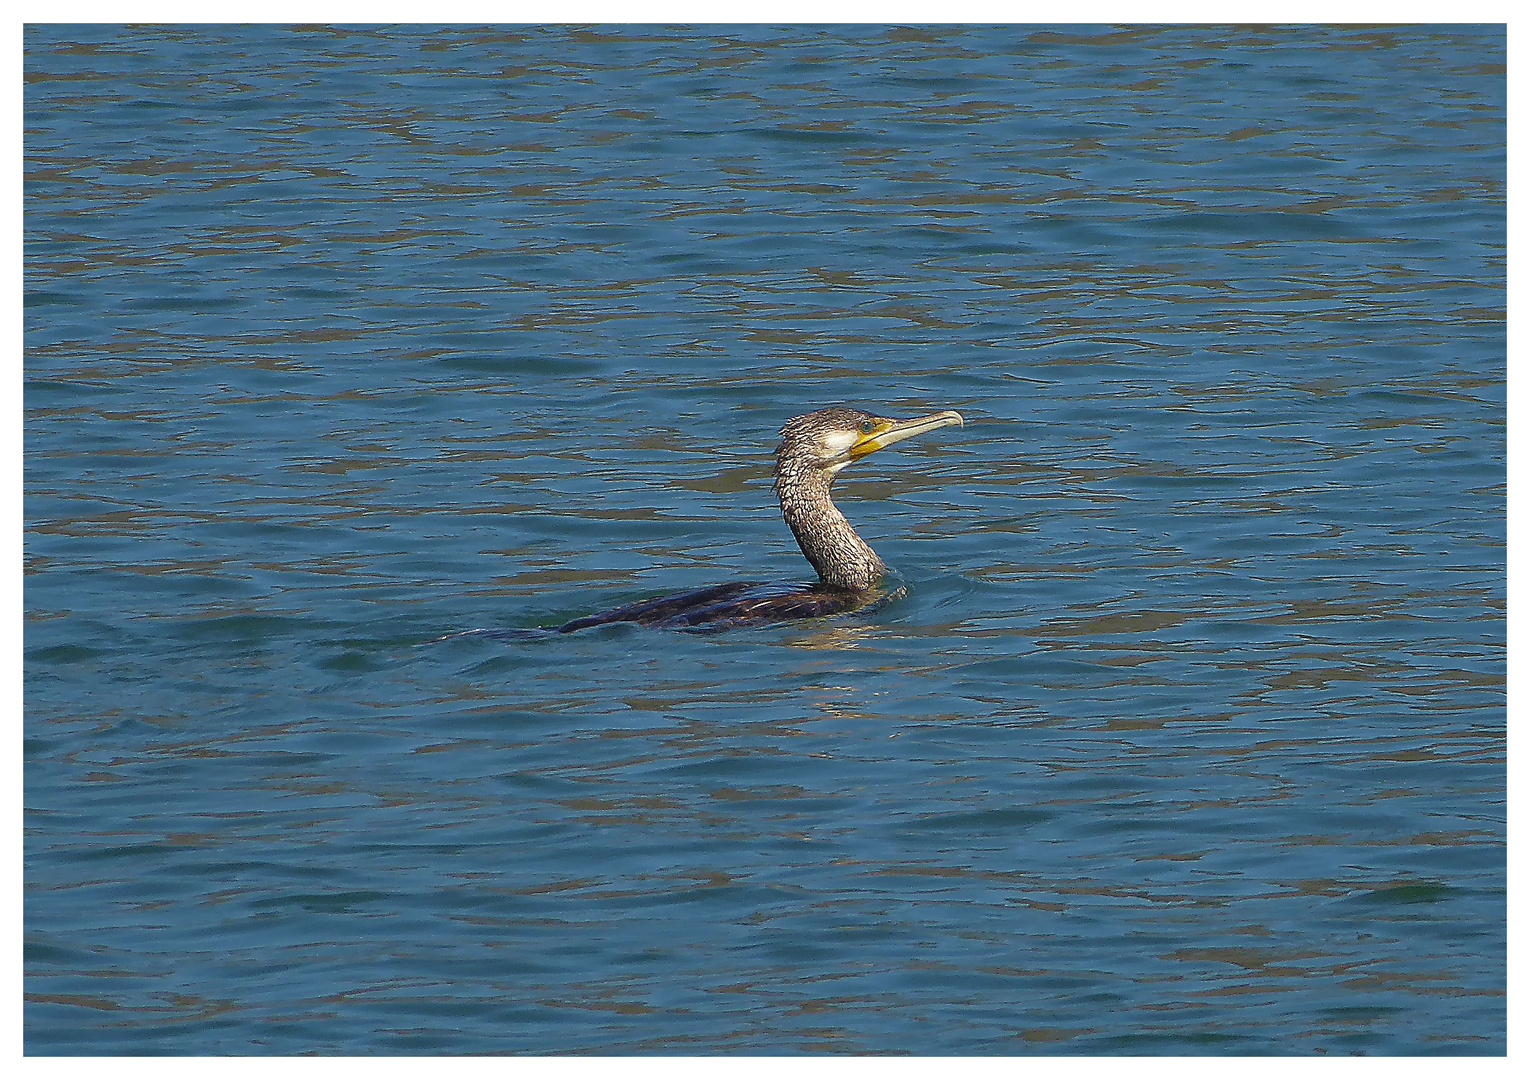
[1188,738]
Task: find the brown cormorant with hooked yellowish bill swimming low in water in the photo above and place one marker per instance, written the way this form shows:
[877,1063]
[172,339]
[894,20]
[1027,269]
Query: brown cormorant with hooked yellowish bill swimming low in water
[813,451]
